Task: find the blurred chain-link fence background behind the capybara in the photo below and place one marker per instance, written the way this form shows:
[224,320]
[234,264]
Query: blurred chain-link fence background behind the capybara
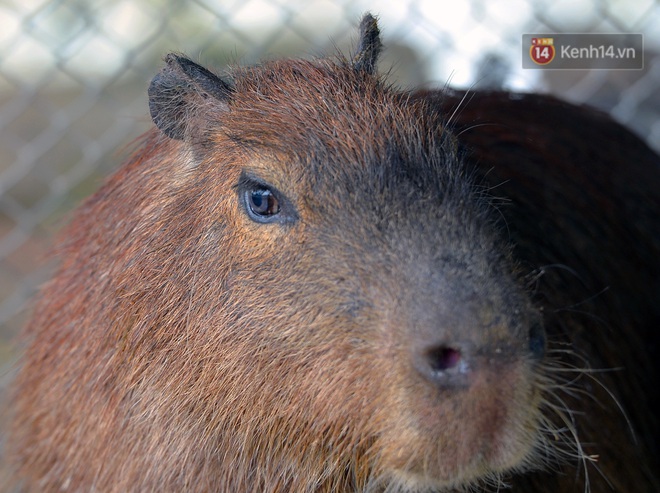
[74,74]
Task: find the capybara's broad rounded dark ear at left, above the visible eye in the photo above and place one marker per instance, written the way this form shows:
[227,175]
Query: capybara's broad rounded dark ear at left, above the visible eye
[180,91]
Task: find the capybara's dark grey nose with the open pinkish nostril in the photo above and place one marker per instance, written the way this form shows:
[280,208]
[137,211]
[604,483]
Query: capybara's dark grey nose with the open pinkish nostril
[451,341]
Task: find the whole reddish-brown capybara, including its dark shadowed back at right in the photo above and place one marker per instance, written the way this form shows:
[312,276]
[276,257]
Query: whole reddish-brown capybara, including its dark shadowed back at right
[307,280]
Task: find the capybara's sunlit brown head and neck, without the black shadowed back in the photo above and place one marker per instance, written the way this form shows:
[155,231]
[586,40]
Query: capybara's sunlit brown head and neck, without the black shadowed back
[294,286]
